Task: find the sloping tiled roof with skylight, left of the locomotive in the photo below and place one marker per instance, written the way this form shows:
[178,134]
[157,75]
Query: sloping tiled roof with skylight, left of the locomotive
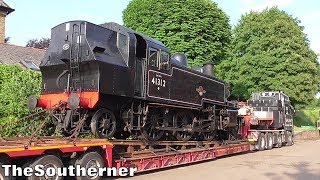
[12,54]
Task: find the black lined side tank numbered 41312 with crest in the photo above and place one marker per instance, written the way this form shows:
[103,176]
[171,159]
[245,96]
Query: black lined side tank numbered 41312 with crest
[183,86]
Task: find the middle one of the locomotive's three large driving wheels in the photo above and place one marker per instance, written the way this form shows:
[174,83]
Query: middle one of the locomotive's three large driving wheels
[184,120]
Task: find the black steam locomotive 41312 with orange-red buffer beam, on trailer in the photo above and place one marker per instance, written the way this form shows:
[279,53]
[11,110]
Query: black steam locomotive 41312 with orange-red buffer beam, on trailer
[111,79]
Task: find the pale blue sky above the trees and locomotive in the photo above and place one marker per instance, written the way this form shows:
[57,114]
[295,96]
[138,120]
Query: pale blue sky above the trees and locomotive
[35,18]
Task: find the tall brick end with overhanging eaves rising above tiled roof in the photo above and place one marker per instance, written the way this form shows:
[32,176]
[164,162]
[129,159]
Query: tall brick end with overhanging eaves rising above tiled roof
[4,11]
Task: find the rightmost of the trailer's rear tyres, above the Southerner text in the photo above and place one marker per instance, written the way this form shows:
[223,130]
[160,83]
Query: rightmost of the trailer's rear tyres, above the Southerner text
[90,160]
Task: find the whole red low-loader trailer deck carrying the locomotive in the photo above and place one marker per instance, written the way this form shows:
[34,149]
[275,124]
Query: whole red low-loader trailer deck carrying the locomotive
[135,153]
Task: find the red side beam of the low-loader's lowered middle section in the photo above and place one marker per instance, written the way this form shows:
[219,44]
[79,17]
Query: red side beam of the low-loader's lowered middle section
[154,160]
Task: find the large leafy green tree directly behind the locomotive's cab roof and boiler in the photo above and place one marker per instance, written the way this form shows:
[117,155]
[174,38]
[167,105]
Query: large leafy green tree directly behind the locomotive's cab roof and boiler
[199,28]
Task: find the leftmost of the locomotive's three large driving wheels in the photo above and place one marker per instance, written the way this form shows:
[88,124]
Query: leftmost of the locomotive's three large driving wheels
[149,131]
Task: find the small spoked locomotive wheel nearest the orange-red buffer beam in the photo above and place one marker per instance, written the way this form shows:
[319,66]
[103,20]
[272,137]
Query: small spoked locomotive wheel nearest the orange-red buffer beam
[103,123]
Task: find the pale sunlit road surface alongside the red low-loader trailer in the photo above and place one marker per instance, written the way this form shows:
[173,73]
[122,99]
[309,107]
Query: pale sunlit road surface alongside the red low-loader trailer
[300,161]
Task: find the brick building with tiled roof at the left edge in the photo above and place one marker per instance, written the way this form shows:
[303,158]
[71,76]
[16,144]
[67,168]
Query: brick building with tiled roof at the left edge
[11,54]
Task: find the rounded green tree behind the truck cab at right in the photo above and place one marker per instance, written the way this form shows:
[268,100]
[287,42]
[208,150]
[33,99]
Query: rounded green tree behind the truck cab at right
[271,53]
